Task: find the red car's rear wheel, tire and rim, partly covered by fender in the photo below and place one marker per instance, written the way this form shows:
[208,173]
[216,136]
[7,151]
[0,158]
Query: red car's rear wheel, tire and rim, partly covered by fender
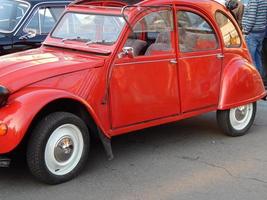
[237,121]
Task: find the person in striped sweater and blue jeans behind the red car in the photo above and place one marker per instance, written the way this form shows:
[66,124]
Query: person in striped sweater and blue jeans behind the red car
[254,24]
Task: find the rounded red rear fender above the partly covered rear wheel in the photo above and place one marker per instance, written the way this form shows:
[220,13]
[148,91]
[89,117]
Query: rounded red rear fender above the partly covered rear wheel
[241,84]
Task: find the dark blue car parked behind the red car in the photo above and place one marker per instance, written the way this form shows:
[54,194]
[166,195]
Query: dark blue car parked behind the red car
[25,24]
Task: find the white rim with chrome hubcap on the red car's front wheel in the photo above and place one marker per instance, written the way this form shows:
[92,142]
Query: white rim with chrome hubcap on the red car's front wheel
[64,149]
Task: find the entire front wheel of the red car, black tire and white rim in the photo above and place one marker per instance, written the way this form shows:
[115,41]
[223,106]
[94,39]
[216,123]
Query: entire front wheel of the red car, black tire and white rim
[58,148]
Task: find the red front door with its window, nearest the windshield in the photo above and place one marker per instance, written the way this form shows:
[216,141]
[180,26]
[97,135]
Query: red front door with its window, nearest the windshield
[145,87]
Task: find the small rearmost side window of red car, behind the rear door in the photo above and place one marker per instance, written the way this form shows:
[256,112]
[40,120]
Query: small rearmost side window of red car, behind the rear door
[230,35]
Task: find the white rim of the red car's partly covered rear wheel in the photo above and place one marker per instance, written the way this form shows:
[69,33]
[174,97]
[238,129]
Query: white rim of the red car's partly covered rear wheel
[241,116]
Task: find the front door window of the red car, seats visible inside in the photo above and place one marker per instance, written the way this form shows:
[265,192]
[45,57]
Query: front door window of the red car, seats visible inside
[152,34]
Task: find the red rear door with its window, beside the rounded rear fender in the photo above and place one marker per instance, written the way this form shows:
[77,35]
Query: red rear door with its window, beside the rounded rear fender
[199,60]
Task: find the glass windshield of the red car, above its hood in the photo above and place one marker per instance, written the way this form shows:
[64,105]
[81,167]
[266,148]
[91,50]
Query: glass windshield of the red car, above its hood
[89,28]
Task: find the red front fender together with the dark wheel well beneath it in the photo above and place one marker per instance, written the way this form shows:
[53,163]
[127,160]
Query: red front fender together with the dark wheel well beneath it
[49,100]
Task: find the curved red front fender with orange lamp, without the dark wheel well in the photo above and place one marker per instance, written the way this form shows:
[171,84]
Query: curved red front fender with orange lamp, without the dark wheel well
[21,109]
